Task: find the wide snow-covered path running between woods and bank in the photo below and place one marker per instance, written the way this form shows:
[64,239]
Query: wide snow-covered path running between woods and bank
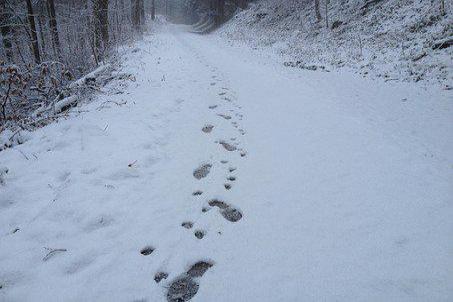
[303,186]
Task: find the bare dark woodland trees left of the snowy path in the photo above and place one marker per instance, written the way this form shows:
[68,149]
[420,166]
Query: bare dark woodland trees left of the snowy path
[46,44]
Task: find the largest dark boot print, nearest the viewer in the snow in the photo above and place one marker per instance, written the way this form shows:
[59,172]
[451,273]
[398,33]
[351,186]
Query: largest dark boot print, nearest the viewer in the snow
[185,287]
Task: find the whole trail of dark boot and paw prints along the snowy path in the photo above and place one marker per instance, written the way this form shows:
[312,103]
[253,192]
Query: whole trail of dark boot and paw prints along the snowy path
[185,286]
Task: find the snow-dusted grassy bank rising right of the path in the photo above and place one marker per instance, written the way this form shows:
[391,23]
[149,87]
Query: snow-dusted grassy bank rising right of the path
[390,39]
